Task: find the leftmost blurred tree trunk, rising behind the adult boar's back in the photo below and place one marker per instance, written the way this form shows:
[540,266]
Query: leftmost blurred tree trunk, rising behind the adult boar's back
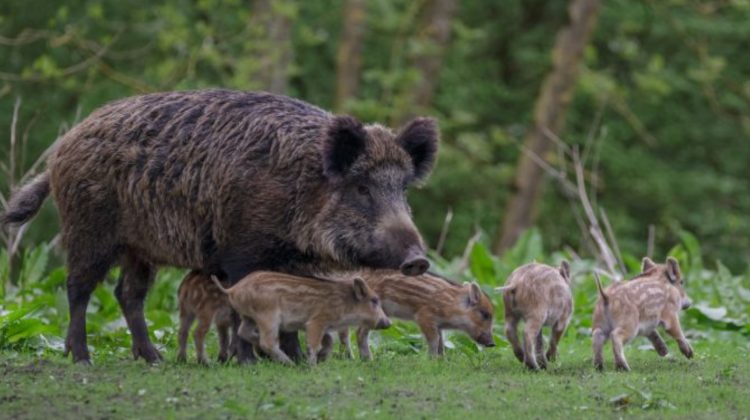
[271,24]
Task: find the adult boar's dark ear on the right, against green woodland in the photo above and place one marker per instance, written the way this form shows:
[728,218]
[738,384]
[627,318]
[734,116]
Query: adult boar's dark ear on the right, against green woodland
[420,138]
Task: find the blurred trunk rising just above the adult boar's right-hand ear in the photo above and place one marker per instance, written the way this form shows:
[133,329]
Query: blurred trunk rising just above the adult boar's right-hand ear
[434,35]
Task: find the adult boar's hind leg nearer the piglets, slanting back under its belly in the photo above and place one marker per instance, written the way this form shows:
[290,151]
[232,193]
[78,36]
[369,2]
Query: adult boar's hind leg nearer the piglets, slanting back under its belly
[135,280]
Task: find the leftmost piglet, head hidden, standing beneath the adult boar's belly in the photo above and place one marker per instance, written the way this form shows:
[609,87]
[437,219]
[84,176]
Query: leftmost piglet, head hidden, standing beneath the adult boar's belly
[200,298]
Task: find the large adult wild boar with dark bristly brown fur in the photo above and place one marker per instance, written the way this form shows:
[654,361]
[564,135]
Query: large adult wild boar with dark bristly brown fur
[228,183]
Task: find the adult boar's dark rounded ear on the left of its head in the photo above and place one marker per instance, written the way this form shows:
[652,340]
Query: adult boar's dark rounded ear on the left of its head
[344,143]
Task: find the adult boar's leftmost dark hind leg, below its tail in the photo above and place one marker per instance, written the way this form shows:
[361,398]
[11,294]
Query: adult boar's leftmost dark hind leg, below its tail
[86,270]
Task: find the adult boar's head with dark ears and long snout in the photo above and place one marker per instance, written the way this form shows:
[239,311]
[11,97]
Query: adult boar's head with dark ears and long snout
[364,218]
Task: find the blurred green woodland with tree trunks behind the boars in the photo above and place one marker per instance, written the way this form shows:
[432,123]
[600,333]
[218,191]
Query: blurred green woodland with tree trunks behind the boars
[651,98]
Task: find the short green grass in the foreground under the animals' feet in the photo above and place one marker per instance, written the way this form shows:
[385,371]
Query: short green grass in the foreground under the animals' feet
[492,384]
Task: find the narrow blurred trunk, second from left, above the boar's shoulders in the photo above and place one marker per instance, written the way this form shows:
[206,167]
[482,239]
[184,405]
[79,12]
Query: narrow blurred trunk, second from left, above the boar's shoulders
[349,56]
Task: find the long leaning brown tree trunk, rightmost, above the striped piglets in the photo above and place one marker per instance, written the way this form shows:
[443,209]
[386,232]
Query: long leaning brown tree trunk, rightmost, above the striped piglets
[549,114]
